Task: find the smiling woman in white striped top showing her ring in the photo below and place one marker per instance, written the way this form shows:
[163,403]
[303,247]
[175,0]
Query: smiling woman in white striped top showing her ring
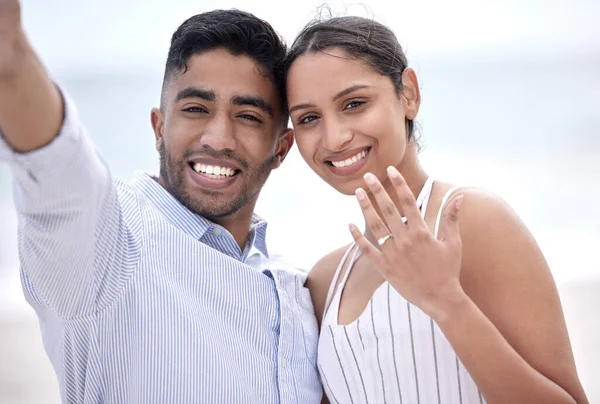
[429,305]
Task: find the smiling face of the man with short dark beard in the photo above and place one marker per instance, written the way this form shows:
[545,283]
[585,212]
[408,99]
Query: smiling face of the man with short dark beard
[219,134]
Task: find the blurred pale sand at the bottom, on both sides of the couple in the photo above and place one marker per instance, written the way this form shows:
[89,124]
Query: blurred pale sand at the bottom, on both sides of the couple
[26,376]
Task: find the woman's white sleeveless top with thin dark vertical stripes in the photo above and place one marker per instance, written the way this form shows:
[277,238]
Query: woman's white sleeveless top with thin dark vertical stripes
[393,352]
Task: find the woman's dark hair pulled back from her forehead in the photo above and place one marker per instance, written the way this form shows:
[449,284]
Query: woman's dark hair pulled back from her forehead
[360,38]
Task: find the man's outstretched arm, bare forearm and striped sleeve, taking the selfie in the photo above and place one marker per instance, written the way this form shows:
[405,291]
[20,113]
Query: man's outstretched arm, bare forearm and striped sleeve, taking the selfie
[73,235]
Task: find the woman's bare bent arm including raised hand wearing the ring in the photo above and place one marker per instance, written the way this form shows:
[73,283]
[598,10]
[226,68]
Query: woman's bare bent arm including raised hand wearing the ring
[497,303]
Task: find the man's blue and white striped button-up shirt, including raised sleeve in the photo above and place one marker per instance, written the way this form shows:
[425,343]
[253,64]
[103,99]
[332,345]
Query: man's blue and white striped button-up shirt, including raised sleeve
[142,301]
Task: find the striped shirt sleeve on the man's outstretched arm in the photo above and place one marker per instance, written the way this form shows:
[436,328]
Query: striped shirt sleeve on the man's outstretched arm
[71,231]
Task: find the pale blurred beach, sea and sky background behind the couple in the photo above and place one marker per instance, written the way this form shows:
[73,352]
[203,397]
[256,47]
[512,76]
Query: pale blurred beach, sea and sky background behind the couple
[510,102]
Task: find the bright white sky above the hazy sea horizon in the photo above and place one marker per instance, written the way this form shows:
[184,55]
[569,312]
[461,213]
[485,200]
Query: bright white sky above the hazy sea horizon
[76,34]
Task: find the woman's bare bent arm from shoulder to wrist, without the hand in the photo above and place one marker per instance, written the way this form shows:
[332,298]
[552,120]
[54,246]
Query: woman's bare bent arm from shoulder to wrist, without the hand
[508,329]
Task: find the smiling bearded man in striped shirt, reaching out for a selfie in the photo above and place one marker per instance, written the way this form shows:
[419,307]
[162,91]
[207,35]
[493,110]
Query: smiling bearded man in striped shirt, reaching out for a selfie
[144,290]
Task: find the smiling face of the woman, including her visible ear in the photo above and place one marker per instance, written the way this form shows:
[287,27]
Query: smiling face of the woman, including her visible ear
[348,118]
